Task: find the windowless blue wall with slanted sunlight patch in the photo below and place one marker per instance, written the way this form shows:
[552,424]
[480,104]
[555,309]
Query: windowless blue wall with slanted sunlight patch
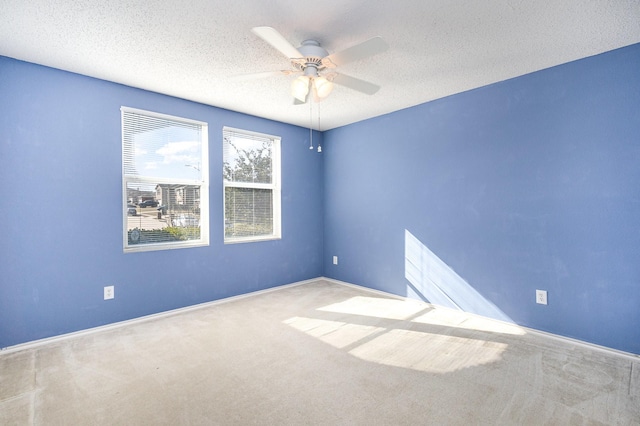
[531,183]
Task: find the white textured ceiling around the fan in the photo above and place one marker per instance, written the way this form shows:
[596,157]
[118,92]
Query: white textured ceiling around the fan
[190,49]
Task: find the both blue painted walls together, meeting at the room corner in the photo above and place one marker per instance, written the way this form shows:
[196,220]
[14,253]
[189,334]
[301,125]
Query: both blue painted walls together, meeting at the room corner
[475,200]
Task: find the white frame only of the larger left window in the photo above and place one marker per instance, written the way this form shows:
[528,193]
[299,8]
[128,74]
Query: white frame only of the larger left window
[203,185]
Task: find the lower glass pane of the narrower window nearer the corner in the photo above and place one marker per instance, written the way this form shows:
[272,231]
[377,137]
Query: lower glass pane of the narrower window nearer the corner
[248,212]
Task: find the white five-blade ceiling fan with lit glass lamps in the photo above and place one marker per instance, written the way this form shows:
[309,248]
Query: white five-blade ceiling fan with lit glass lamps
[316,67]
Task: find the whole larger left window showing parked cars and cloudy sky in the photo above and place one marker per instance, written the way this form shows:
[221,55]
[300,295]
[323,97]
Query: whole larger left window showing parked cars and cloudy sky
[165,181]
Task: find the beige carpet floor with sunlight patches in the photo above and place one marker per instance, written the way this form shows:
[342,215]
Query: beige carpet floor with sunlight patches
[317,353]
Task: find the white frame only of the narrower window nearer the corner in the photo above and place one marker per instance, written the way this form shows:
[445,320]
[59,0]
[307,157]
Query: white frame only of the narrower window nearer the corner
[275,186]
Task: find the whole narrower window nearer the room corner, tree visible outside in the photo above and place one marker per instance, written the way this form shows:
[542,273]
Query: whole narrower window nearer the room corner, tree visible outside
[251,186]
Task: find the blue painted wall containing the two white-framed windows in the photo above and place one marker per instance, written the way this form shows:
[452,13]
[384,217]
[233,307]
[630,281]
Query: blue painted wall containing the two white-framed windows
[61,203]
